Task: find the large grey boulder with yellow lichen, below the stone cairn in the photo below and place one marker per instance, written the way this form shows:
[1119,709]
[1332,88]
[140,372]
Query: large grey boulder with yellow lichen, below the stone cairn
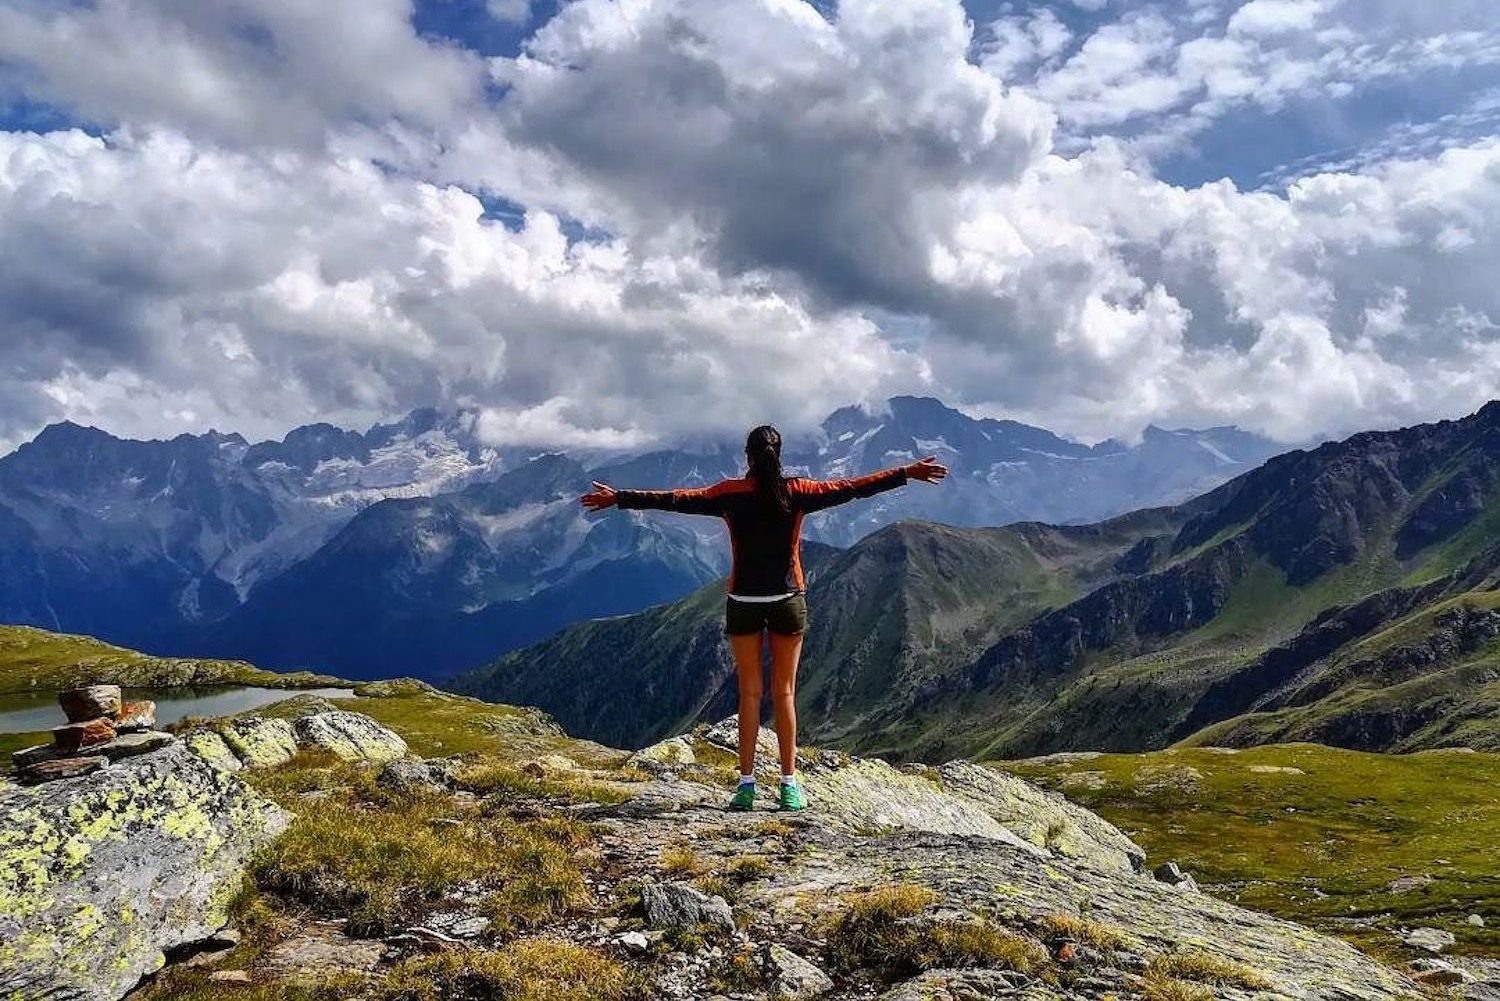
[101,874]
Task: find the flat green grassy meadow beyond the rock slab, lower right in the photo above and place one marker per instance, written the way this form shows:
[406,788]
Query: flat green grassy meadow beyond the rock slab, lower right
[1358,846]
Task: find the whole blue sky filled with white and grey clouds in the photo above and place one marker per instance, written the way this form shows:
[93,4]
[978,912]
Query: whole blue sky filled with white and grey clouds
[623,223]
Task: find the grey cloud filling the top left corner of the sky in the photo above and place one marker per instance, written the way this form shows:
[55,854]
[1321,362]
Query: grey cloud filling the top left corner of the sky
[247,73]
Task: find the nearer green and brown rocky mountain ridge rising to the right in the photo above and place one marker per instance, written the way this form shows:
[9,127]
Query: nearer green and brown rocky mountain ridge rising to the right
[1346,595]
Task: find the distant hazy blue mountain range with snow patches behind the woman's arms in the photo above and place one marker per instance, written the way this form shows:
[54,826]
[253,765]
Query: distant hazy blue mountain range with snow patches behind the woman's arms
[419,549]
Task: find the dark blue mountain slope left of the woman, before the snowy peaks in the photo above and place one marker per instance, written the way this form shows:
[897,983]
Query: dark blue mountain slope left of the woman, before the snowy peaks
[431,586]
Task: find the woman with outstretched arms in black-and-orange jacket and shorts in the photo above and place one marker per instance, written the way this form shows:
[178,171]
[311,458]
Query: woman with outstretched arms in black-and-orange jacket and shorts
[764,511]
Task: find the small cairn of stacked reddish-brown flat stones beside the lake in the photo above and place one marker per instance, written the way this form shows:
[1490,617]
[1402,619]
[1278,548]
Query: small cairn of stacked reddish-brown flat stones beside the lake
[101,729]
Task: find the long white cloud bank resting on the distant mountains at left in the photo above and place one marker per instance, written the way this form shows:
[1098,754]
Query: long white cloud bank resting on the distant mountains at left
[157,286]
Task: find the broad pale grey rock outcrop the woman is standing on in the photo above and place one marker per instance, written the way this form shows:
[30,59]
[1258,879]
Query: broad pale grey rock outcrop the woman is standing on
[991,852]
